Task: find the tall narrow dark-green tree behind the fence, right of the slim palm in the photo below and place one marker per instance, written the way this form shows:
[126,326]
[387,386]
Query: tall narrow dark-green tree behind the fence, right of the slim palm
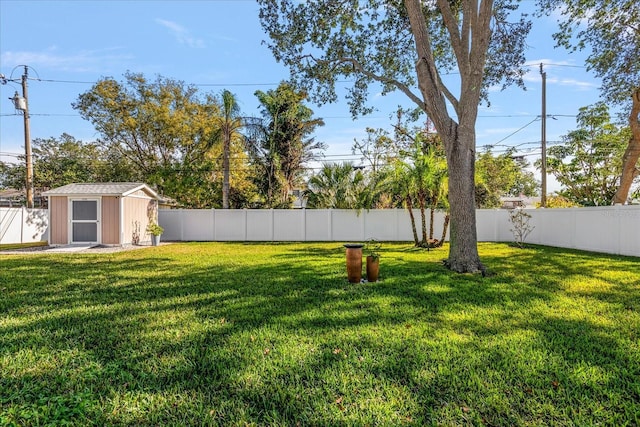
[285,144]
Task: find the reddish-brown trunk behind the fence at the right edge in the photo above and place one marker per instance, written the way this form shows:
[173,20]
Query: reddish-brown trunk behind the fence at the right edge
[631,154]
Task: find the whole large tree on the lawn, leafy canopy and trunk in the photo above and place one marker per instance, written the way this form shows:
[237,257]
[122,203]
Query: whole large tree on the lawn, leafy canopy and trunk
[409,46]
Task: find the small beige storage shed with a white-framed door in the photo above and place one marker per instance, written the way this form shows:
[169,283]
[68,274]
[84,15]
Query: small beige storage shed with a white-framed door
[114,213]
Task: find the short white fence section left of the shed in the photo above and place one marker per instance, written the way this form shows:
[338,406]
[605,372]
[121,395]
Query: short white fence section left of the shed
[22,225]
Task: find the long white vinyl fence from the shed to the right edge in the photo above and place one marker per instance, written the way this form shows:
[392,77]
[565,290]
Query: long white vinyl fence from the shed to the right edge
[609,229]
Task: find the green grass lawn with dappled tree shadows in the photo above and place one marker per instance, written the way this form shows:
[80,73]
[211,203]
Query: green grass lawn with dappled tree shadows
[272,334]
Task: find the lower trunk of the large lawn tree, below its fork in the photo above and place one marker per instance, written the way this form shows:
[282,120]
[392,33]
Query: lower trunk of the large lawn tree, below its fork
[463,249]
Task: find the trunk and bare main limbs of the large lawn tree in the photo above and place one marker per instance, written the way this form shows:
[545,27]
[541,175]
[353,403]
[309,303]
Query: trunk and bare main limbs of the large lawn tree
[470,42]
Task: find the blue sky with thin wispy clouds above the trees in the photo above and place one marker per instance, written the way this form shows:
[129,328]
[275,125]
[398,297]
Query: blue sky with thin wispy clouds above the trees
[217,45]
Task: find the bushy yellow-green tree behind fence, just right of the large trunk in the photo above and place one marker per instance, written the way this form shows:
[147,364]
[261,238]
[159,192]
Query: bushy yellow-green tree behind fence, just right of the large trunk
[502,175]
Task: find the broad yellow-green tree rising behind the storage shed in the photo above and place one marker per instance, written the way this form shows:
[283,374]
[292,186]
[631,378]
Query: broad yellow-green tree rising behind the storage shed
[153,124]
